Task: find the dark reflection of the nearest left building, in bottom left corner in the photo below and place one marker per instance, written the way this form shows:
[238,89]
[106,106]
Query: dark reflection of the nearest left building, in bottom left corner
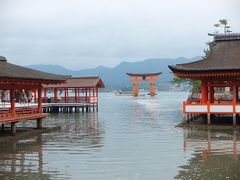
[24,159]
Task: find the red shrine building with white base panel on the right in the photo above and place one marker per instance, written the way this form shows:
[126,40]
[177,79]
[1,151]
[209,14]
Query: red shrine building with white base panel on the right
[219,74]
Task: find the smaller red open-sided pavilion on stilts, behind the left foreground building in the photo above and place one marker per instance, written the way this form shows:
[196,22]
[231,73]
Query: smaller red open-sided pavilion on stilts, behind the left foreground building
[77,94]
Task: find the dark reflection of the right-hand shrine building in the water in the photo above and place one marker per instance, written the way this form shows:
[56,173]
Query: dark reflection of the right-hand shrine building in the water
[215,156]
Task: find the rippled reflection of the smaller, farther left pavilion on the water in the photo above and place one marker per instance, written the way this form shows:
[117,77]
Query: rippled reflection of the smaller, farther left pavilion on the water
[79,129]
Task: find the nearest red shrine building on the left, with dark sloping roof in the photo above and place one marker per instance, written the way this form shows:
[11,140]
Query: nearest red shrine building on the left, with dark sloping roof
[15,81]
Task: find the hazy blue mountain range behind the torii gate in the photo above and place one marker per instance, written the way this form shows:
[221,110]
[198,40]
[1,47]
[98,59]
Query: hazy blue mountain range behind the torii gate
[116,76]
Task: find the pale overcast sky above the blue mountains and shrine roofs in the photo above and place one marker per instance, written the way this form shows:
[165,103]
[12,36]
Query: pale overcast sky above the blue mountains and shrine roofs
[81,34]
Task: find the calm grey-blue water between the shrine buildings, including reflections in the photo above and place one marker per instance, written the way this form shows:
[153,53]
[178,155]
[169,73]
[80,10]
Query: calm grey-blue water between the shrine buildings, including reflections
[128,139]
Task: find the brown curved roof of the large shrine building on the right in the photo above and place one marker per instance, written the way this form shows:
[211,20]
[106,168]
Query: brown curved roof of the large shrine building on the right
[224,56]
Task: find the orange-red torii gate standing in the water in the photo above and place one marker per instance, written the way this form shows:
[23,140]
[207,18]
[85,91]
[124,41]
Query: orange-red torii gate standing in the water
[136,78]
